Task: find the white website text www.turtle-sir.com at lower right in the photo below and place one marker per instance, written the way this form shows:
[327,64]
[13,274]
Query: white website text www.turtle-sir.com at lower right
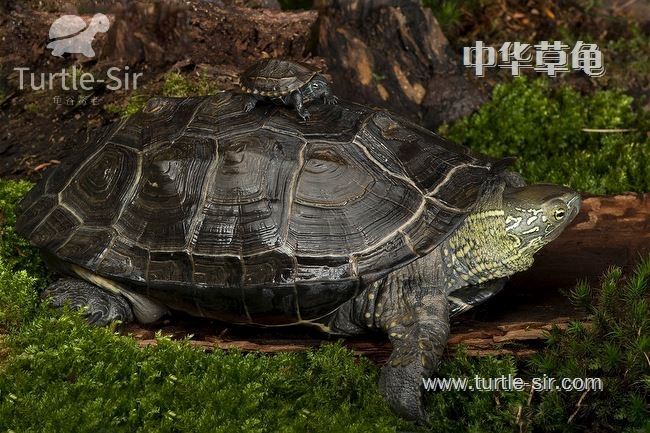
[512,383]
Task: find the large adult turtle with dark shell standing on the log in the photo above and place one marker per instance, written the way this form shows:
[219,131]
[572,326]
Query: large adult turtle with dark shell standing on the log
[354,221]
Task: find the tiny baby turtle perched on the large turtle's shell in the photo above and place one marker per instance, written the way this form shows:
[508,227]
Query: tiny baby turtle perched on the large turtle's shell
[285,82]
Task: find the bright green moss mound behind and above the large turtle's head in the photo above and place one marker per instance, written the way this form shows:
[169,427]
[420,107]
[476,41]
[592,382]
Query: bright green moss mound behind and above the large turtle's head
[545,128]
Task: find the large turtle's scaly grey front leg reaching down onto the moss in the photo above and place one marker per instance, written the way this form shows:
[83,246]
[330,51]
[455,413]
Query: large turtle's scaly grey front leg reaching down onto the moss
[415,315]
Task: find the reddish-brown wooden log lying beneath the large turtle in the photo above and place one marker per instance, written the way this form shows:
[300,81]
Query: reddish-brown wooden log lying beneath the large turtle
[610,230]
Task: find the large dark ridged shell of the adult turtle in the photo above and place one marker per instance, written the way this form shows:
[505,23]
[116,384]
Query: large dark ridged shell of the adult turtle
[252,217]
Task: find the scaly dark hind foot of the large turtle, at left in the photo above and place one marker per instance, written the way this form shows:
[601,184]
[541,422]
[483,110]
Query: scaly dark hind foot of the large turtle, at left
[101,307]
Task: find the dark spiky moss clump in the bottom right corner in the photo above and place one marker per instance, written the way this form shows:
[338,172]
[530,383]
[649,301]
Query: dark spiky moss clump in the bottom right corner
[614,348]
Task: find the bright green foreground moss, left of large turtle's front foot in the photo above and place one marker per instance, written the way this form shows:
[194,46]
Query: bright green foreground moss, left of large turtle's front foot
[98,381]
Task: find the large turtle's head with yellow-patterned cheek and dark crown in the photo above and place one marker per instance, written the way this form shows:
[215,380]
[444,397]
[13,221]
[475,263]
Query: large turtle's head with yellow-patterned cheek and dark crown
[537,214]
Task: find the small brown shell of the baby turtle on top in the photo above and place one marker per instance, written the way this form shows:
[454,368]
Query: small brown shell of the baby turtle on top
[276,77]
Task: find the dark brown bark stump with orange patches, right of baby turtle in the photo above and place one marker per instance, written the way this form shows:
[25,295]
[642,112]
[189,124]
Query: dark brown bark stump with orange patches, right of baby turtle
[393,54]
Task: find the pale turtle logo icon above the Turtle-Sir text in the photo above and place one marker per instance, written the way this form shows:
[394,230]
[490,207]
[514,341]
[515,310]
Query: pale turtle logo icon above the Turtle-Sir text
[71,34]
